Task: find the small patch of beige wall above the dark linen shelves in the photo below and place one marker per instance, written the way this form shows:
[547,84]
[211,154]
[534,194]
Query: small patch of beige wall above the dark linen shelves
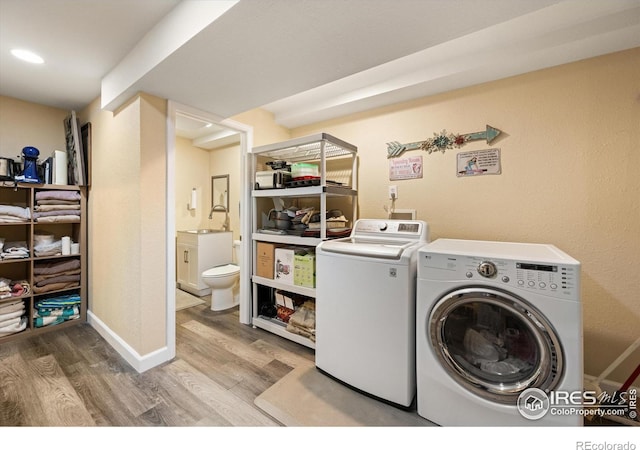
[25,124]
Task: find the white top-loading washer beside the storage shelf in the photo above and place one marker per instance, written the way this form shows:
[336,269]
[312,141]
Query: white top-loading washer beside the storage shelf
[365,308]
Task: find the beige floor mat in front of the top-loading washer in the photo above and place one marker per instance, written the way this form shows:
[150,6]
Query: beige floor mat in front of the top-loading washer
[306,397]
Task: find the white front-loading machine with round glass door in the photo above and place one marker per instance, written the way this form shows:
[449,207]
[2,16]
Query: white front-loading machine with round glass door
[498,334]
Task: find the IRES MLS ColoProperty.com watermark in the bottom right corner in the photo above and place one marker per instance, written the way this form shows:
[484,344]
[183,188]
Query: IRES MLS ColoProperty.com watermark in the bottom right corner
[534,403]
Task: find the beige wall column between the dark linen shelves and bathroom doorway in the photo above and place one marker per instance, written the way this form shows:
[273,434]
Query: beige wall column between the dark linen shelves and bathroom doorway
[127,213]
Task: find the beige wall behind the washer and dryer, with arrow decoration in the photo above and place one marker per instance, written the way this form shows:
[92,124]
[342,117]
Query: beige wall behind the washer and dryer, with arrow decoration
[570,150]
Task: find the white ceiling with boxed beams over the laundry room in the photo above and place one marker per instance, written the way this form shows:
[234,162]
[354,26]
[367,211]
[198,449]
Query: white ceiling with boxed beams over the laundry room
[304,60]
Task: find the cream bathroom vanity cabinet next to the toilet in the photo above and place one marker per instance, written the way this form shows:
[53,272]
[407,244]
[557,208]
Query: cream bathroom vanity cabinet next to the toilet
[197,251]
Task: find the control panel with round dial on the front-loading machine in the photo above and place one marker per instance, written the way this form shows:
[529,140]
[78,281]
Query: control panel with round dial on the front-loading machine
[558,280]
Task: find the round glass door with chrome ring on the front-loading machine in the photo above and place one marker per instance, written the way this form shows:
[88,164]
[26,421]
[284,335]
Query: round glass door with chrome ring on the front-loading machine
[494,343]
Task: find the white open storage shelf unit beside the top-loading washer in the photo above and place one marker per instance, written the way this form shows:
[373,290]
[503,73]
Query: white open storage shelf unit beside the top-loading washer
[317,148]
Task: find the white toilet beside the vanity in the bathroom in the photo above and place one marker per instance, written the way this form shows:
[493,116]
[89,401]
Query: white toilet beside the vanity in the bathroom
[222,280]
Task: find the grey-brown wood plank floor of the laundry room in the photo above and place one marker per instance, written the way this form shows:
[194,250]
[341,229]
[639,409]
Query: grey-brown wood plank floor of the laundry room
[72,377]
